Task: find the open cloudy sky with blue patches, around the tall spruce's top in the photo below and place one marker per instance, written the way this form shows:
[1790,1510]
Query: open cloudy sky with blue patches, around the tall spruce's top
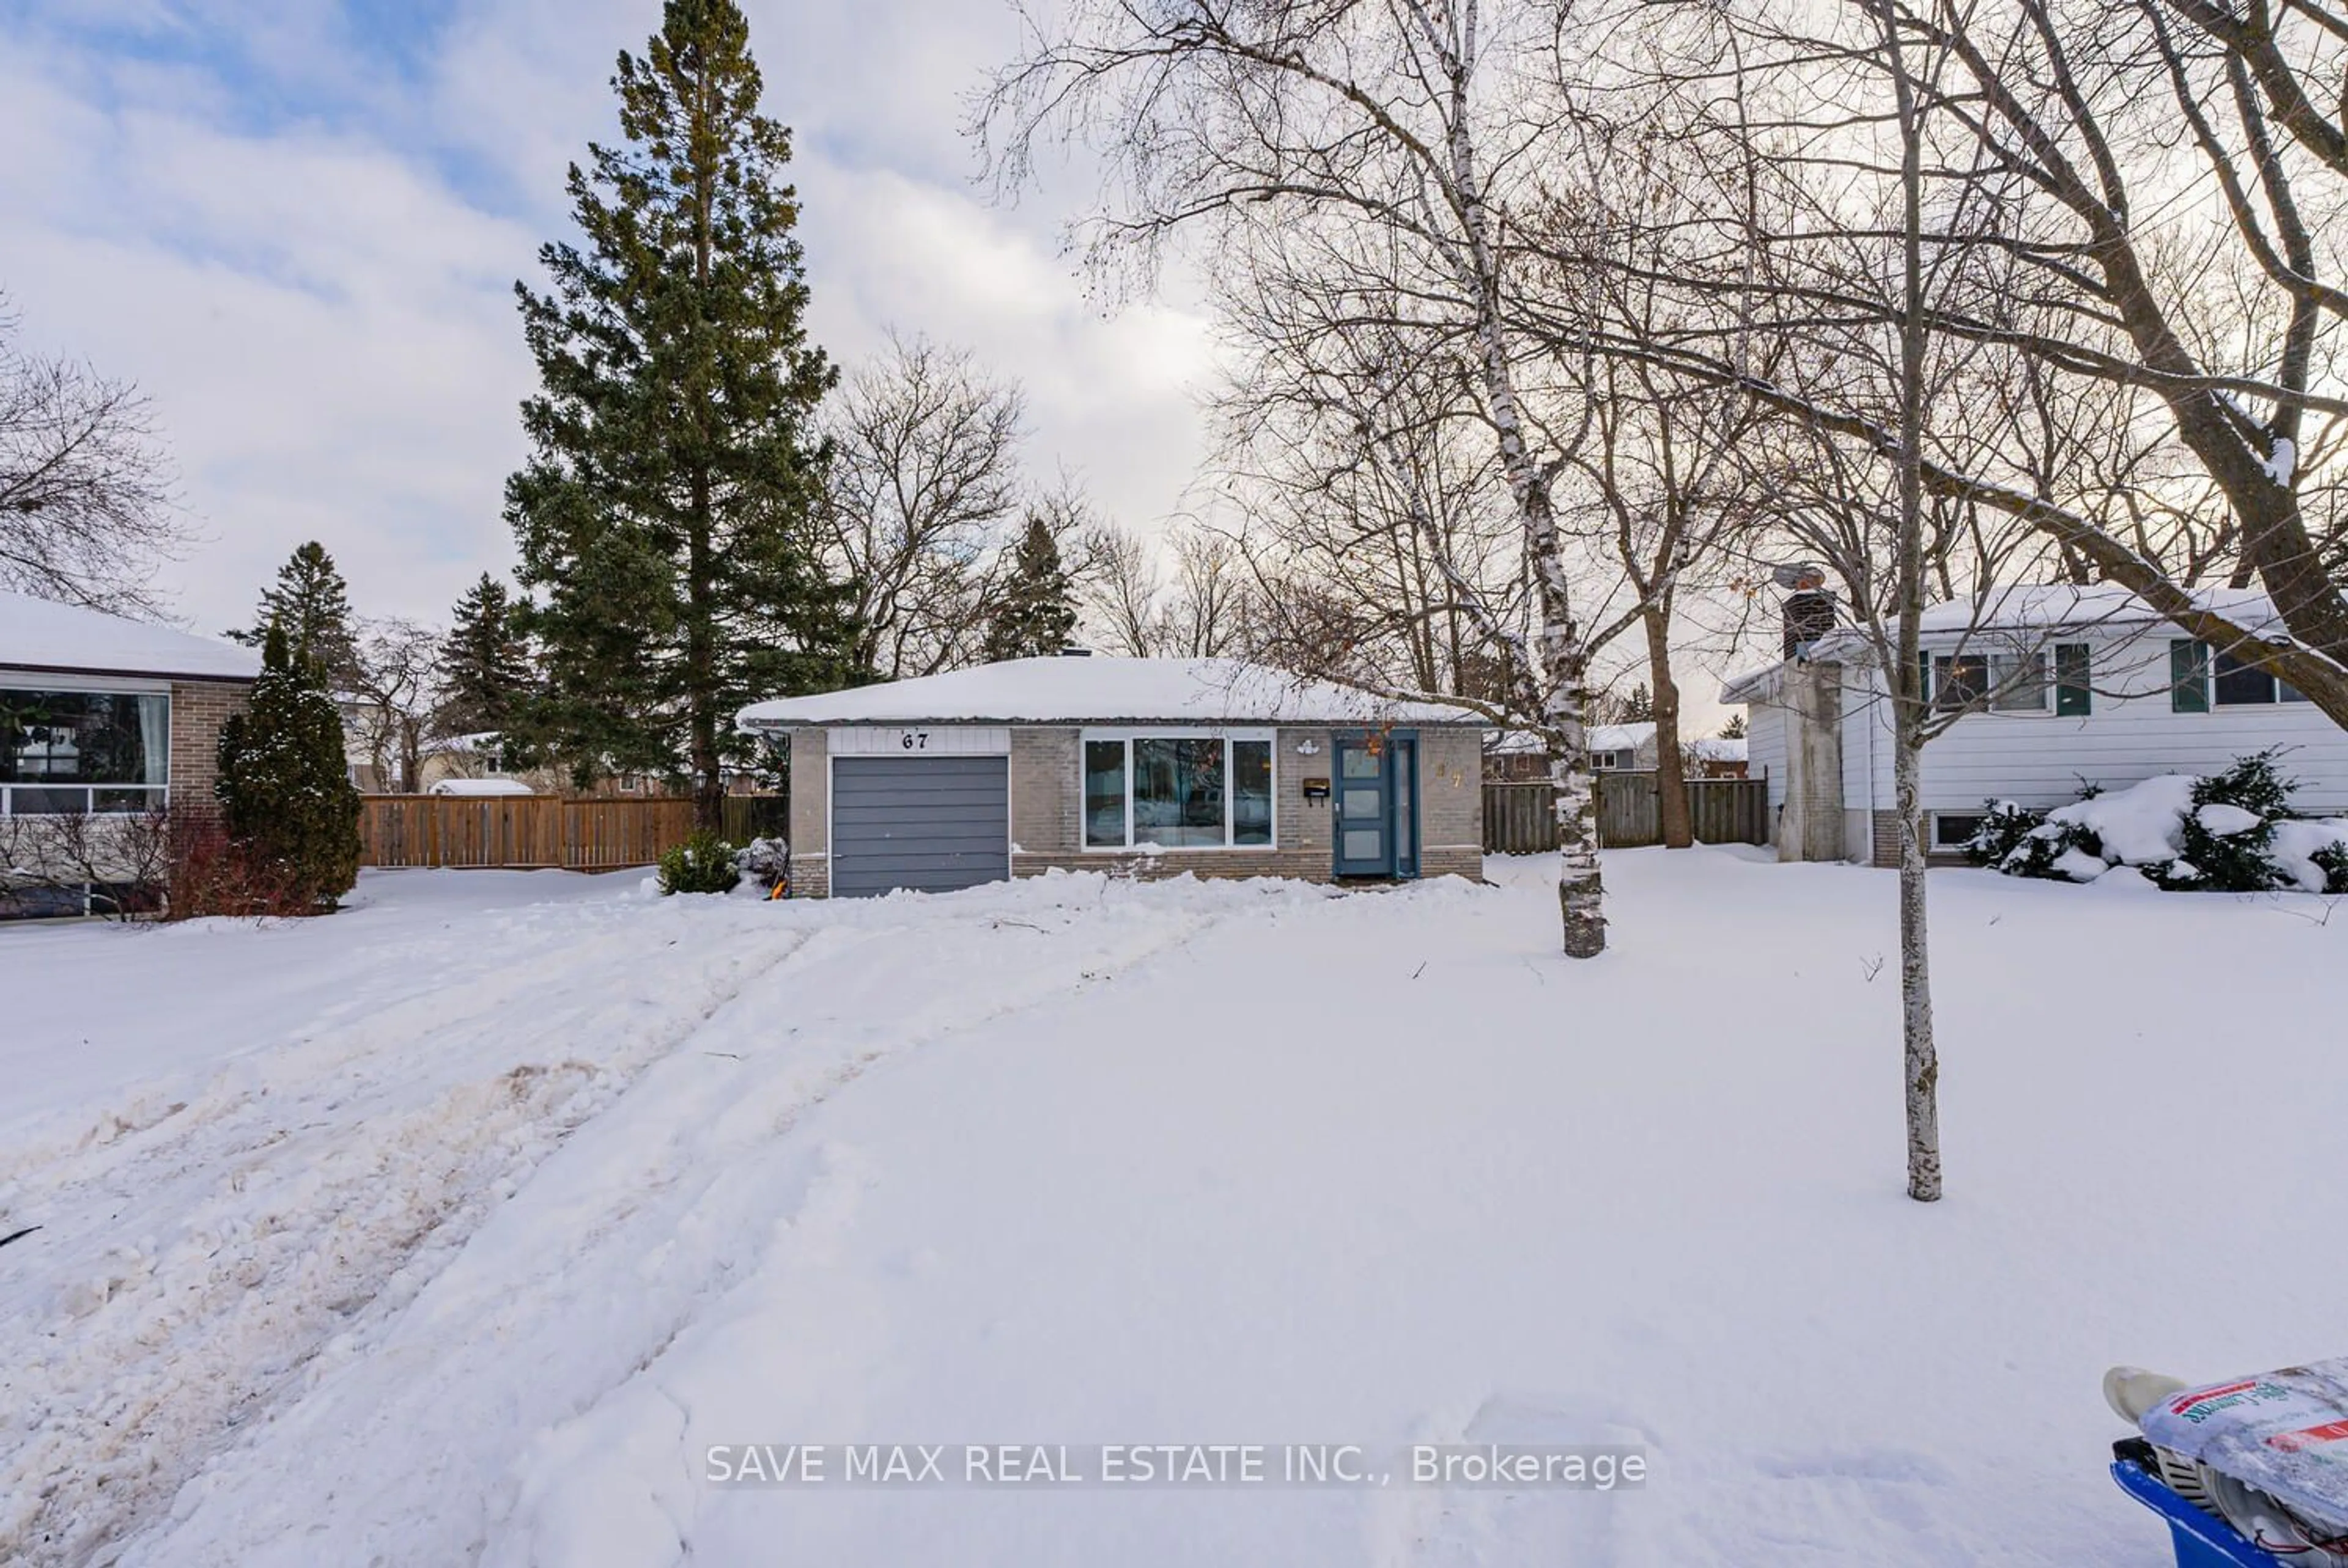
[297,227]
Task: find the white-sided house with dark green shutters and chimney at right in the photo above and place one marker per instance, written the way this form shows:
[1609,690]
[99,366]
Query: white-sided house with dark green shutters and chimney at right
[2051,689]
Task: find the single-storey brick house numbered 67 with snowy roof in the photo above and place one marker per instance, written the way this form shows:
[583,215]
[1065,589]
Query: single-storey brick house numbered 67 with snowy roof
[1138,766]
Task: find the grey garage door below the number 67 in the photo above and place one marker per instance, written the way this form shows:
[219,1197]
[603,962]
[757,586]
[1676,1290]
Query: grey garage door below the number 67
[931,823]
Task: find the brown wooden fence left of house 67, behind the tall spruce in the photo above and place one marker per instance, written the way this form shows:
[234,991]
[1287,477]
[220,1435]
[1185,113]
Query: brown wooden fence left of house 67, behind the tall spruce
[534,832]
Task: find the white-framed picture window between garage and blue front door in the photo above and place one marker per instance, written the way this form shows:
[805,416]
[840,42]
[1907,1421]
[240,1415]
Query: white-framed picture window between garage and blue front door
[1178,792]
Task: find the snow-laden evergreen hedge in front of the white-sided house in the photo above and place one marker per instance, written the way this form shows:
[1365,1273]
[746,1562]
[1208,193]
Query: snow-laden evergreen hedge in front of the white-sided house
[2229,832]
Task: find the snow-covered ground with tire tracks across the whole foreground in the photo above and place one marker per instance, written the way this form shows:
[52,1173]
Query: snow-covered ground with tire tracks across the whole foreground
[461,1224]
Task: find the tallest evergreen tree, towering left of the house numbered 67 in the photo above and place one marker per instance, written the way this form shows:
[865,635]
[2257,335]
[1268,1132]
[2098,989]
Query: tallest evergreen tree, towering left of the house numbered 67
[668,501]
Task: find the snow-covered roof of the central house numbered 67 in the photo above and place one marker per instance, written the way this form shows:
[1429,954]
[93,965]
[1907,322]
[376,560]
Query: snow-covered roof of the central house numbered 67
[1100,691]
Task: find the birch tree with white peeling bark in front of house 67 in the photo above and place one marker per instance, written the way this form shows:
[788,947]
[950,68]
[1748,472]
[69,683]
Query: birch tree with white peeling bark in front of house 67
[1401,130]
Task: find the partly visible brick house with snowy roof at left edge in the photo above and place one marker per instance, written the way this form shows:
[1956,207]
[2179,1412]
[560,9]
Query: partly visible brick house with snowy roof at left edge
[102,719]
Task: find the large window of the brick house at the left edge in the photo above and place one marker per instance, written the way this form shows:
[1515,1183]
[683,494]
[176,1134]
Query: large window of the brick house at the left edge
[83,752]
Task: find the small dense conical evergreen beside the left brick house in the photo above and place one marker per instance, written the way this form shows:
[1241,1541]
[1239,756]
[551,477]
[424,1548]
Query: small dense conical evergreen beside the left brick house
[285,783]
